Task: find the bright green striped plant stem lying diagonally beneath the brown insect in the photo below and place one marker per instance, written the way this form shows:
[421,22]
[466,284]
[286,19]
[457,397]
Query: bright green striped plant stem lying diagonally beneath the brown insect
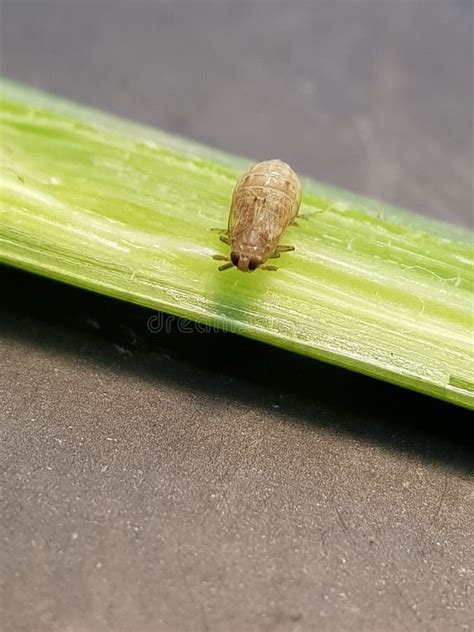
[125,210]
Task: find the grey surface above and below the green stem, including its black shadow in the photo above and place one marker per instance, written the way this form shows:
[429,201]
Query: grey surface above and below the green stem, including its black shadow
[171,482]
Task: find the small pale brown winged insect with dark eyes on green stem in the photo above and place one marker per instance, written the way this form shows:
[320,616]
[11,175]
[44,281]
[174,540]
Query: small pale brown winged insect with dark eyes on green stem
[265,202]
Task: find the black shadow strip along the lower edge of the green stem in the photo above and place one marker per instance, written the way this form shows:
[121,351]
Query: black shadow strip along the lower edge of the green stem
[71,321]
